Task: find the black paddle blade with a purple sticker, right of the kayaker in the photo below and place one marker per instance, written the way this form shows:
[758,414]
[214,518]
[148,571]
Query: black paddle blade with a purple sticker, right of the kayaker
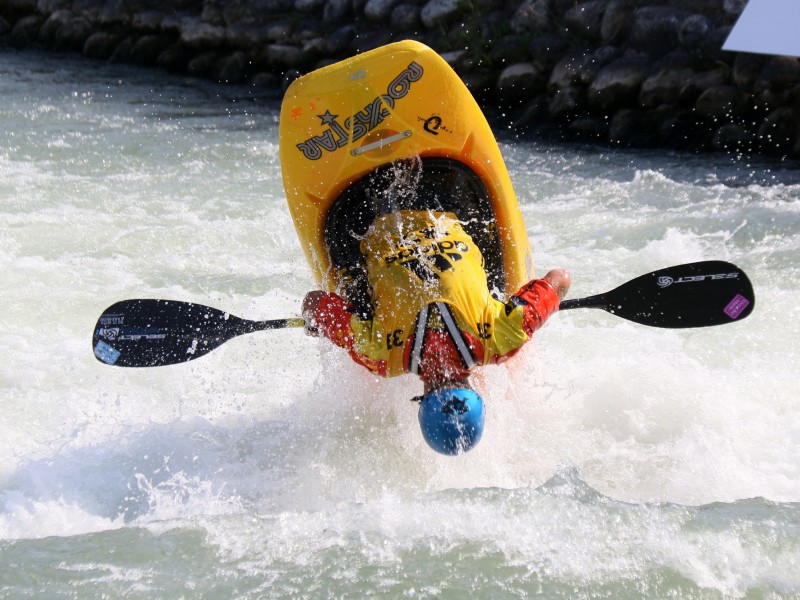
[698,294]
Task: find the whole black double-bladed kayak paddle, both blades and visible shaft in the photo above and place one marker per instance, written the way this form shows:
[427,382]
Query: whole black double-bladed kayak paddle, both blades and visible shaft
[149,333]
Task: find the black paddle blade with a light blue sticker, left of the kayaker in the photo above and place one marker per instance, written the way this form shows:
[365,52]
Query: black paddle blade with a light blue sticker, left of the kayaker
[149,333]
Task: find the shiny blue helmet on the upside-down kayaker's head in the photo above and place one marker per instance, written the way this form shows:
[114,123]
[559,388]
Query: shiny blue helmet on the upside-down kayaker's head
[451,419]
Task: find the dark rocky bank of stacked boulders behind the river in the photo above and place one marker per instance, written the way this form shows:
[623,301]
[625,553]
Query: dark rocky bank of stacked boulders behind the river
[647,73]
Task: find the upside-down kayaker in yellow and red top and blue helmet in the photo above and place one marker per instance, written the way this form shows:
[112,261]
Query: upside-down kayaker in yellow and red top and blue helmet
[432,315]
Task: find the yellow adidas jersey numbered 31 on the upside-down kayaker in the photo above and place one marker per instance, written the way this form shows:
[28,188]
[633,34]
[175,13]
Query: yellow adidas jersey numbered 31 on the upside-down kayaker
[418,258]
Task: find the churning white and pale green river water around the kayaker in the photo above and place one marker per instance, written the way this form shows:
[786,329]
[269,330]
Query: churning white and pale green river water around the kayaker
[618,460]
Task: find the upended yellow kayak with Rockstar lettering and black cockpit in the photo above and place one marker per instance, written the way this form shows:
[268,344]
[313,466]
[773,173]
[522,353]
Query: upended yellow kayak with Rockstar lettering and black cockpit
[395,118]
